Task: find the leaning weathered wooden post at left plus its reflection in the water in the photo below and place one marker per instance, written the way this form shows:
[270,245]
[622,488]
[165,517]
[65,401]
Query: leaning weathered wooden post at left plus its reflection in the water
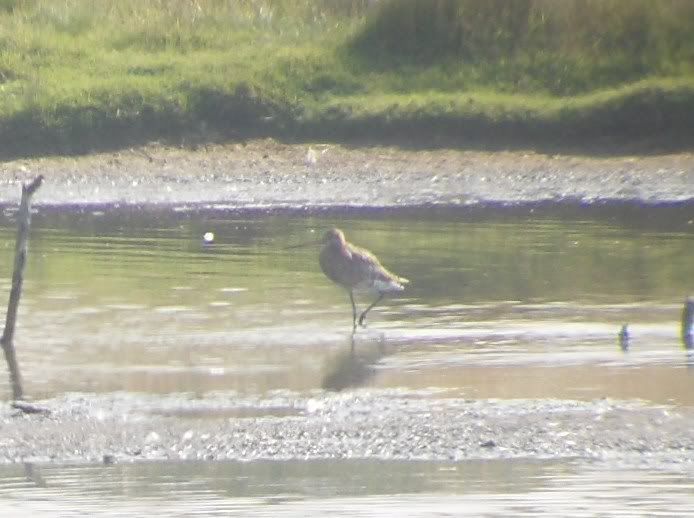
[21,248]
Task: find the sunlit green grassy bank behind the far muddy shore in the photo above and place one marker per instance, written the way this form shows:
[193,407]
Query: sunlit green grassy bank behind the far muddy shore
[81,75]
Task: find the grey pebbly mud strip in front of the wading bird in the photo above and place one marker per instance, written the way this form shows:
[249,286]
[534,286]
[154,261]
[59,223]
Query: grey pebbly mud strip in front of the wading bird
[363,424]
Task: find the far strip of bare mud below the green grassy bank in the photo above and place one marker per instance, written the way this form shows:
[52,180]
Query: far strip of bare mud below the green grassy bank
[266,173]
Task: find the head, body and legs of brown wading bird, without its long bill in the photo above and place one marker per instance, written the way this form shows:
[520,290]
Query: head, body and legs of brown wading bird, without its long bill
[355,268]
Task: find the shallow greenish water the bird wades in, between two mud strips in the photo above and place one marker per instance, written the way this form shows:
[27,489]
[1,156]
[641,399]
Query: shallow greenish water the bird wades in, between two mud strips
[500,304]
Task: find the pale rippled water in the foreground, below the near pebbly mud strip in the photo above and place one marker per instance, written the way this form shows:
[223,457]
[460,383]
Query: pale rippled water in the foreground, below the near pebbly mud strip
[344,488]
